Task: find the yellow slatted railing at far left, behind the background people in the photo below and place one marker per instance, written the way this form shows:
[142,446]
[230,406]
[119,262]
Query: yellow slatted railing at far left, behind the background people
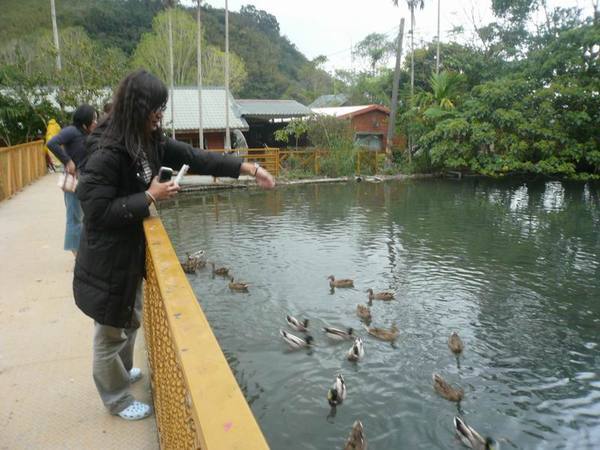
[19,166]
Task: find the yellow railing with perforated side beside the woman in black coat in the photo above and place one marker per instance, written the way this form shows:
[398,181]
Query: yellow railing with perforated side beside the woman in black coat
[197,401]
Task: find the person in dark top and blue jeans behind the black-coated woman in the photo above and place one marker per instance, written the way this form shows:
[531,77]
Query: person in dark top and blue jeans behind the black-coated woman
[69,147]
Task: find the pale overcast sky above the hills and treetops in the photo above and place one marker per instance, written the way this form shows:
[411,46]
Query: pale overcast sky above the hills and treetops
[331,27]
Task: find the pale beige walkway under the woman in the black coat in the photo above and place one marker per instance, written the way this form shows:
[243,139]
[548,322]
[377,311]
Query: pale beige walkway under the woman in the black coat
[47,396]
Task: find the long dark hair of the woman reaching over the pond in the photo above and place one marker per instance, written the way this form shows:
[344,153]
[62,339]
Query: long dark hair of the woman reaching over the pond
[138,94]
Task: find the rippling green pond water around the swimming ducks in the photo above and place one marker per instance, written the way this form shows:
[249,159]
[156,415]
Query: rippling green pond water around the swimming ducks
[513,266]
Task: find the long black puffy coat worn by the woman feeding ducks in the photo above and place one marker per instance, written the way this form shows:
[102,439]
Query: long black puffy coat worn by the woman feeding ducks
[111,258]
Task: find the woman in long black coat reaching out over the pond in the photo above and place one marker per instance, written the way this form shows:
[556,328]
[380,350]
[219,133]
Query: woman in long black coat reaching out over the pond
[118,183]
